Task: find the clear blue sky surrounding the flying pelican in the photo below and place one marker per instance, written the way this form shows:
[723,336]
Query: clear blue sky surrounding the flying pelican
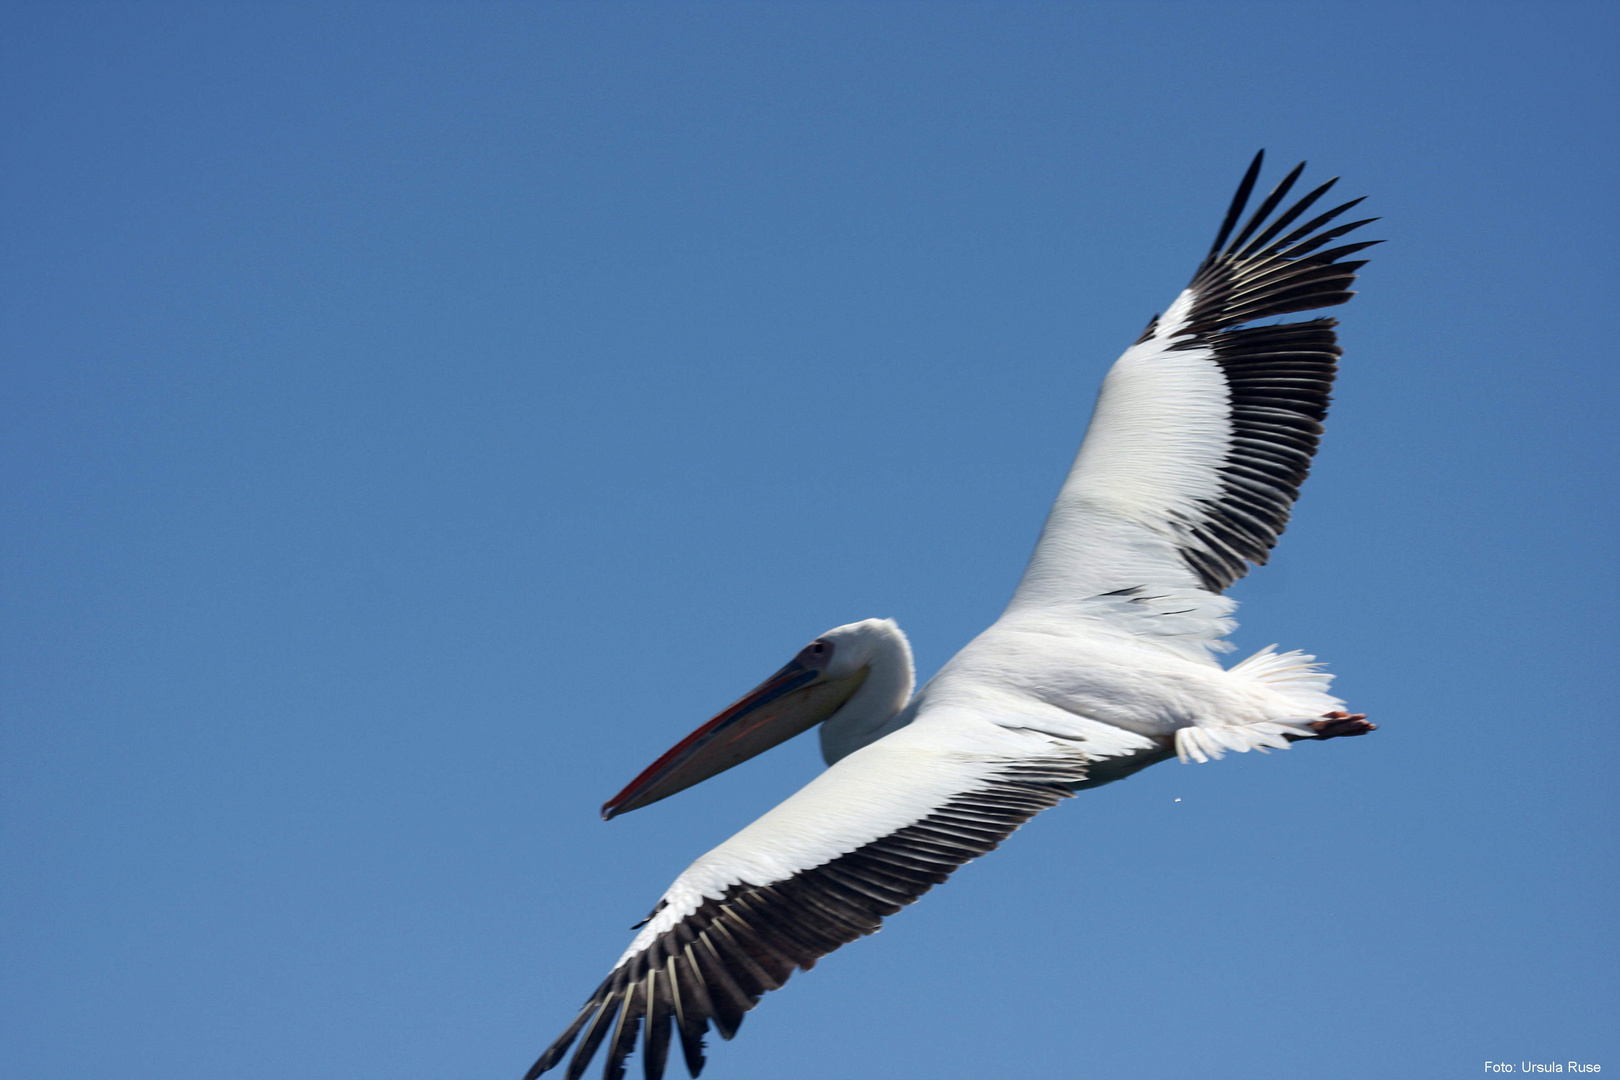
[417,417]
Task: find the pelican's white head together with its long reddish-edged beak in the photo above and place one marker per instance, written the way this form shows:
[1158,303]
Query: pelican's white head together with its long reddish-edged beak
[858,676]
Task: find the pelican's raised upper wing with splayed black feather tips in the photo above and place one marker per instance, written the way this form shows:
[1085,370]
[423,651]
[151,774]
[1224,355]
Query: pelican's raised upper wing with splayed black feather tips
[1204,430]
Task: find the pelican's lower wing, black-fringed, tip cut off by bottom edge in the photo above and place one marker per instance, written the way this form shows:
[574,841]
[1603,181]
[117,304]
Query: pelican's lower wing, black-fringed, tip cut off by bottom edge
[866,838]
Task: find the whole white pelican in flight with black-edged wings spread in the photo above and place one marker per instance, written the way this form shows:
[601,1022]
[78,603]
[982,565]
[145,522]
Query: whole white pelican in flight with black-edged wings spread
[1102,665]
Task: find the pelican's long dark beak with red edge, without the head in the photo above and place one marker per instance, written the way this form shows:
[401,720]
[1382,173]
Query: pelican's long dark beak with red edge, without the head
[791,702]
